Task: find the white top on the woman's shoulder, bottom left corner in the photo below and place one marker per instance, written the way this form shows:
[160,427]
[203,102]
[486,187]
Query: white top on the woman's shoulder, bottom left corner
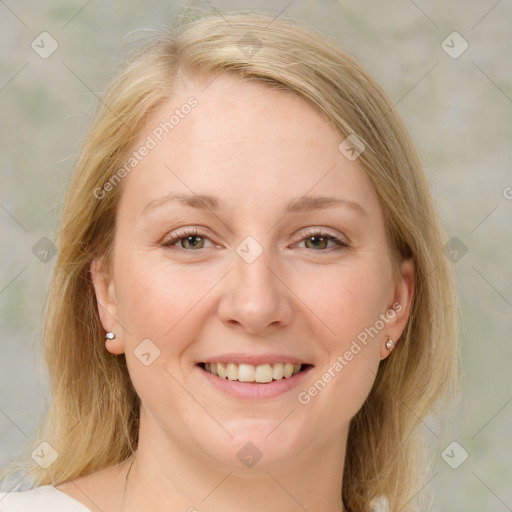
[45,498]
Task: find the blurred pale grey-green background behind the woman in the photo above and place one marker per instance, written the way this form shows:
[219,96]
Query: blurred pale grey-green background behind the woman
[446,66]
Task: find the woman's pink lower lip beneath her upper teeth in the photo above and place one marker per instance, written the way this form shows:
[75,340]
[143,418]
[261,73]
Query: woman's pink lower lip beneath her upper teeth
[255,390]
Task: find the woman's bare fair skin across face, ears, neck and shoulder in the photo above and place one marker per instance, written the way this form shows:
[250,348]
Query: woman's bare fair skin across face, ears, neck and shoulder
[254,148]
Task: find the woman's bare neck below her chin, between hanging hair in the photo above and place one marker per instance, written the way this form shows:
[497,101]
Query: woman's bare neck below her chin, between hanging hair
[163,479]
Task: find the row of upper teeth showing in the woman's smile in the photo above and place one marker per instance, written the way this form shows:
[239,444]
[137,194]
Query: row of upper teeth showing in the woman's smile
[250,373]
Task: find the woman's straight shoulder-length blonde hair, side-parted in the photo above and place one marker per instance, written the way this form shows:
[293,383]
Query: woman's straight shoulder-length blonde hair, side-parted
[92,421]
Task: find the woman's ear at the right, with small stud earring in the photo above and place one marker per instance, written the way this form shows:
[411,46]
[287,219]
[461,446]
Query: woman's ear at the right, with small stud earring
[401,307]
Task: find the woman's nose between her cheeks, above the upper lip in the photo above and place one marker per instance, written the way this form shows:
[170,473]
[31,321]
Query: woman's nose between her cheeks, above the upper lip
[256,296]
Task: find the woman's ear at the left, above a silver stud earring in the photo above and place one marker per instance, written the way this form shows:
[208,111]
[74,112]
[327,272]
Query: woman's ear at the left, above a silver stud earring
[104,289]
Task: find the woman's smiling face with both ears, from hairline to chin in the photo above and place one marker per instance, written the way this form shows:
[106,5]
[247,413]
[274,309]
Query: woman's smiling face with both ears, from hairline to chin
[264,275]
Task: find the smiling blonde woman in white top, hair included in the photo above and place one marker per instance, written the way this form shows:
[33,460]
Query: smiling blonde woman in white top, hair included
[251,308]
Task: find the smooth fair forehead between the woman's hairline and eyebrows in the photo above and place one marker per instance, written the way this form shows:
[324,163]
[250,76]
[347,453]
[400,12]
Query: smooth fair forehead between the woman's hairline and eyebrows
[245,142]
